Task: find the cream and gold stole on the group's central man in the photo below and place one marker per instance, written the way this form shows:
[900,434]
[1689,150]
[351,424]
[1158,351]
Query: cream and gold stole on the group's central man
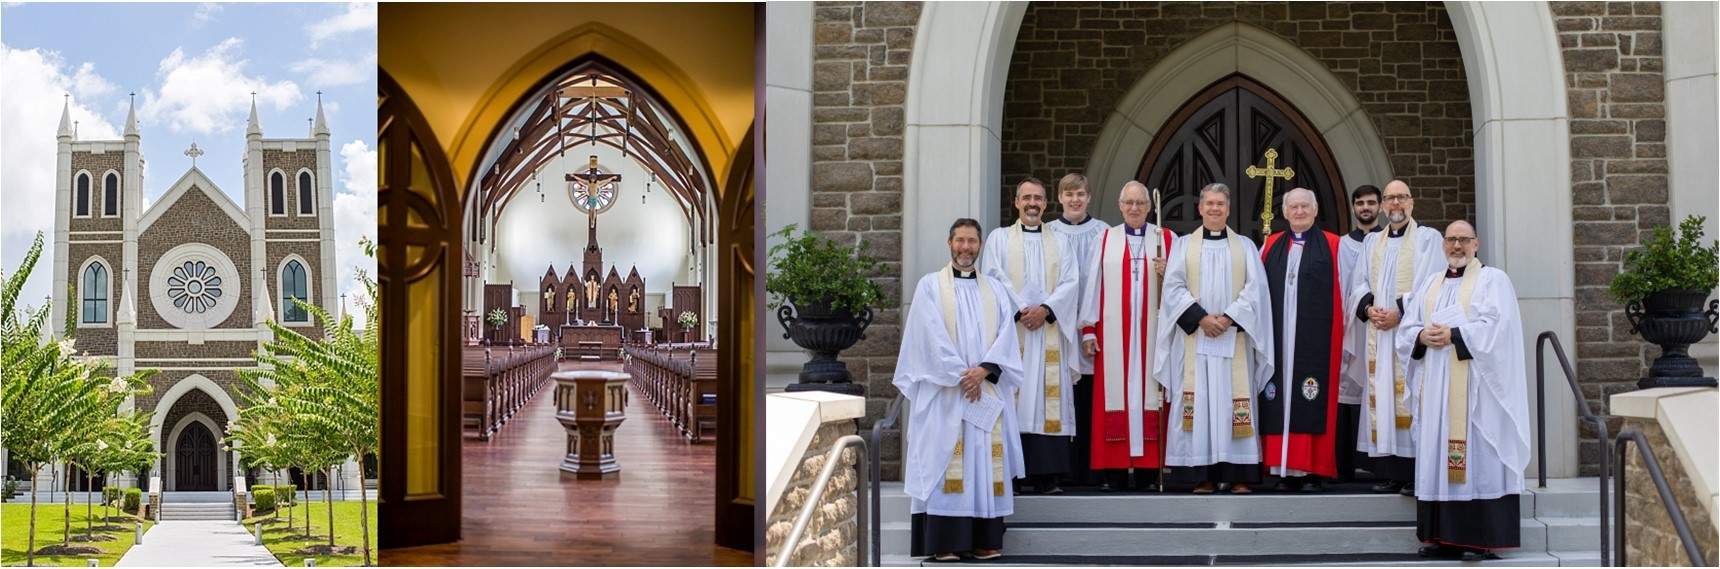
[1241,417]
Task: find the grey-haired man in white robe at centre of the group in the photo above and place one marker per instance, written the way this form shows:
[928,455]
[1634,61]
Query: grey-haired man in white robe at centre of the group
[1215,352]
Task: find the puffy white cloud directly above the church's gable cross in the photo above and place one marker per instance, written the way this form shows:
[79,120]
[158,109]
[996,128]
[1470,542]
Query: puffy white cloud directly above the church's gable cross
[211,94]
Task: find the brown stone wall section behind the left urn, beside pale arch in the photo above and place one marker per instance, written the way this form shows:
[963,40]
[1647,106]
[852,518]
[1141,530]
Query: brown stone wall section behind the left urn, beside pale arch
[859,85]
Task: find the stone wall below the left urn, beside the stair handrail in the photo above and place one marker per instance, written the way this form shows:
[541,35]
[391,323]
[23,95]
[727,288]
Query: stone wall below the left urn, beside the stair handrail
[832,539]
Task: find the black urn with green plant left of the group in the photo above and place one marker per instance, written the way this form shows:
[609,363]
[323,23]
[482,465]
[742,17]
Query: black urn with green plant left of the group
[823,298]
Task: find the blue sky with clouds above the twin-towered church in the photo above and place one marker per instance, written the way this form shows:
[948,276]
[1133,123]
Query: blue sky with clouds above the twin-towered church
[193,68]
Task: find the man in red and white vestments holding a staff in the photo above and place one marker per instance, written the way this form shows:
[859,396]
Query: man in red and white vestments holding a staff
[1119,321]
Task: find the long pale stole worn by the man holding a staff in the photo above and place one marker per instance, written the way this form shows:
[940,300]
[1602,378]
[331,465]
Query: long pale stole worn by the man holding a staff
[1114,317]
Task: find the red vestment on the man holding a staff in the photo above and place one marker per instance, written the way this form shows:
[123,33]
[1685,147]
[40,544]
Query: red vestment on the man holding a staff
[1110,443]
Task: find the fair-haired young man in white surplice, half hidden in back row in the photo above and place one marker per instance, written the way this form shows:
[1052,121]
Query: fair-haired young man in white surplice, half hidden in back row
[1081,233]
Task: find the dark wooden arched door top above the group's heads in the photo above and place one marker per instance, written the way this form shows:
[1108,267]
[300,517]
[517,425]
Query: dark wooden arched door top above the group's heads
[1224,132]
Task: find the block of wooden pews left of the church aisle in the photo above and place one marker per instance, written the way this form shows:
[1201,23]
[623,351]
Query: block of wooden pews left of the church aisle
[498,382]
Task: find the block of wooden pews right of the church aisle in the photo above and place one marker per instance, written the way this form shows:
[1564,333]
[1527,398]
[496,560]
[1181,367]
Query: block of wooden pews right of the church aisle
[682,382]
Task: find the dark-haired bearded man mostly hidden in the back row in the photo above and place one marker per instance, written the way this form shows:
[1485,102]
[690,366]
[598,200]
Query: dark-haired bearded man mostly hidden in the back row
[1365,209]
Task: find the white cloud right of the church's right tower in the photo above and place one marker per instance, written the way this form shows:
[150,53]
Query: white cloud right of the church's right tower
[355,216]
